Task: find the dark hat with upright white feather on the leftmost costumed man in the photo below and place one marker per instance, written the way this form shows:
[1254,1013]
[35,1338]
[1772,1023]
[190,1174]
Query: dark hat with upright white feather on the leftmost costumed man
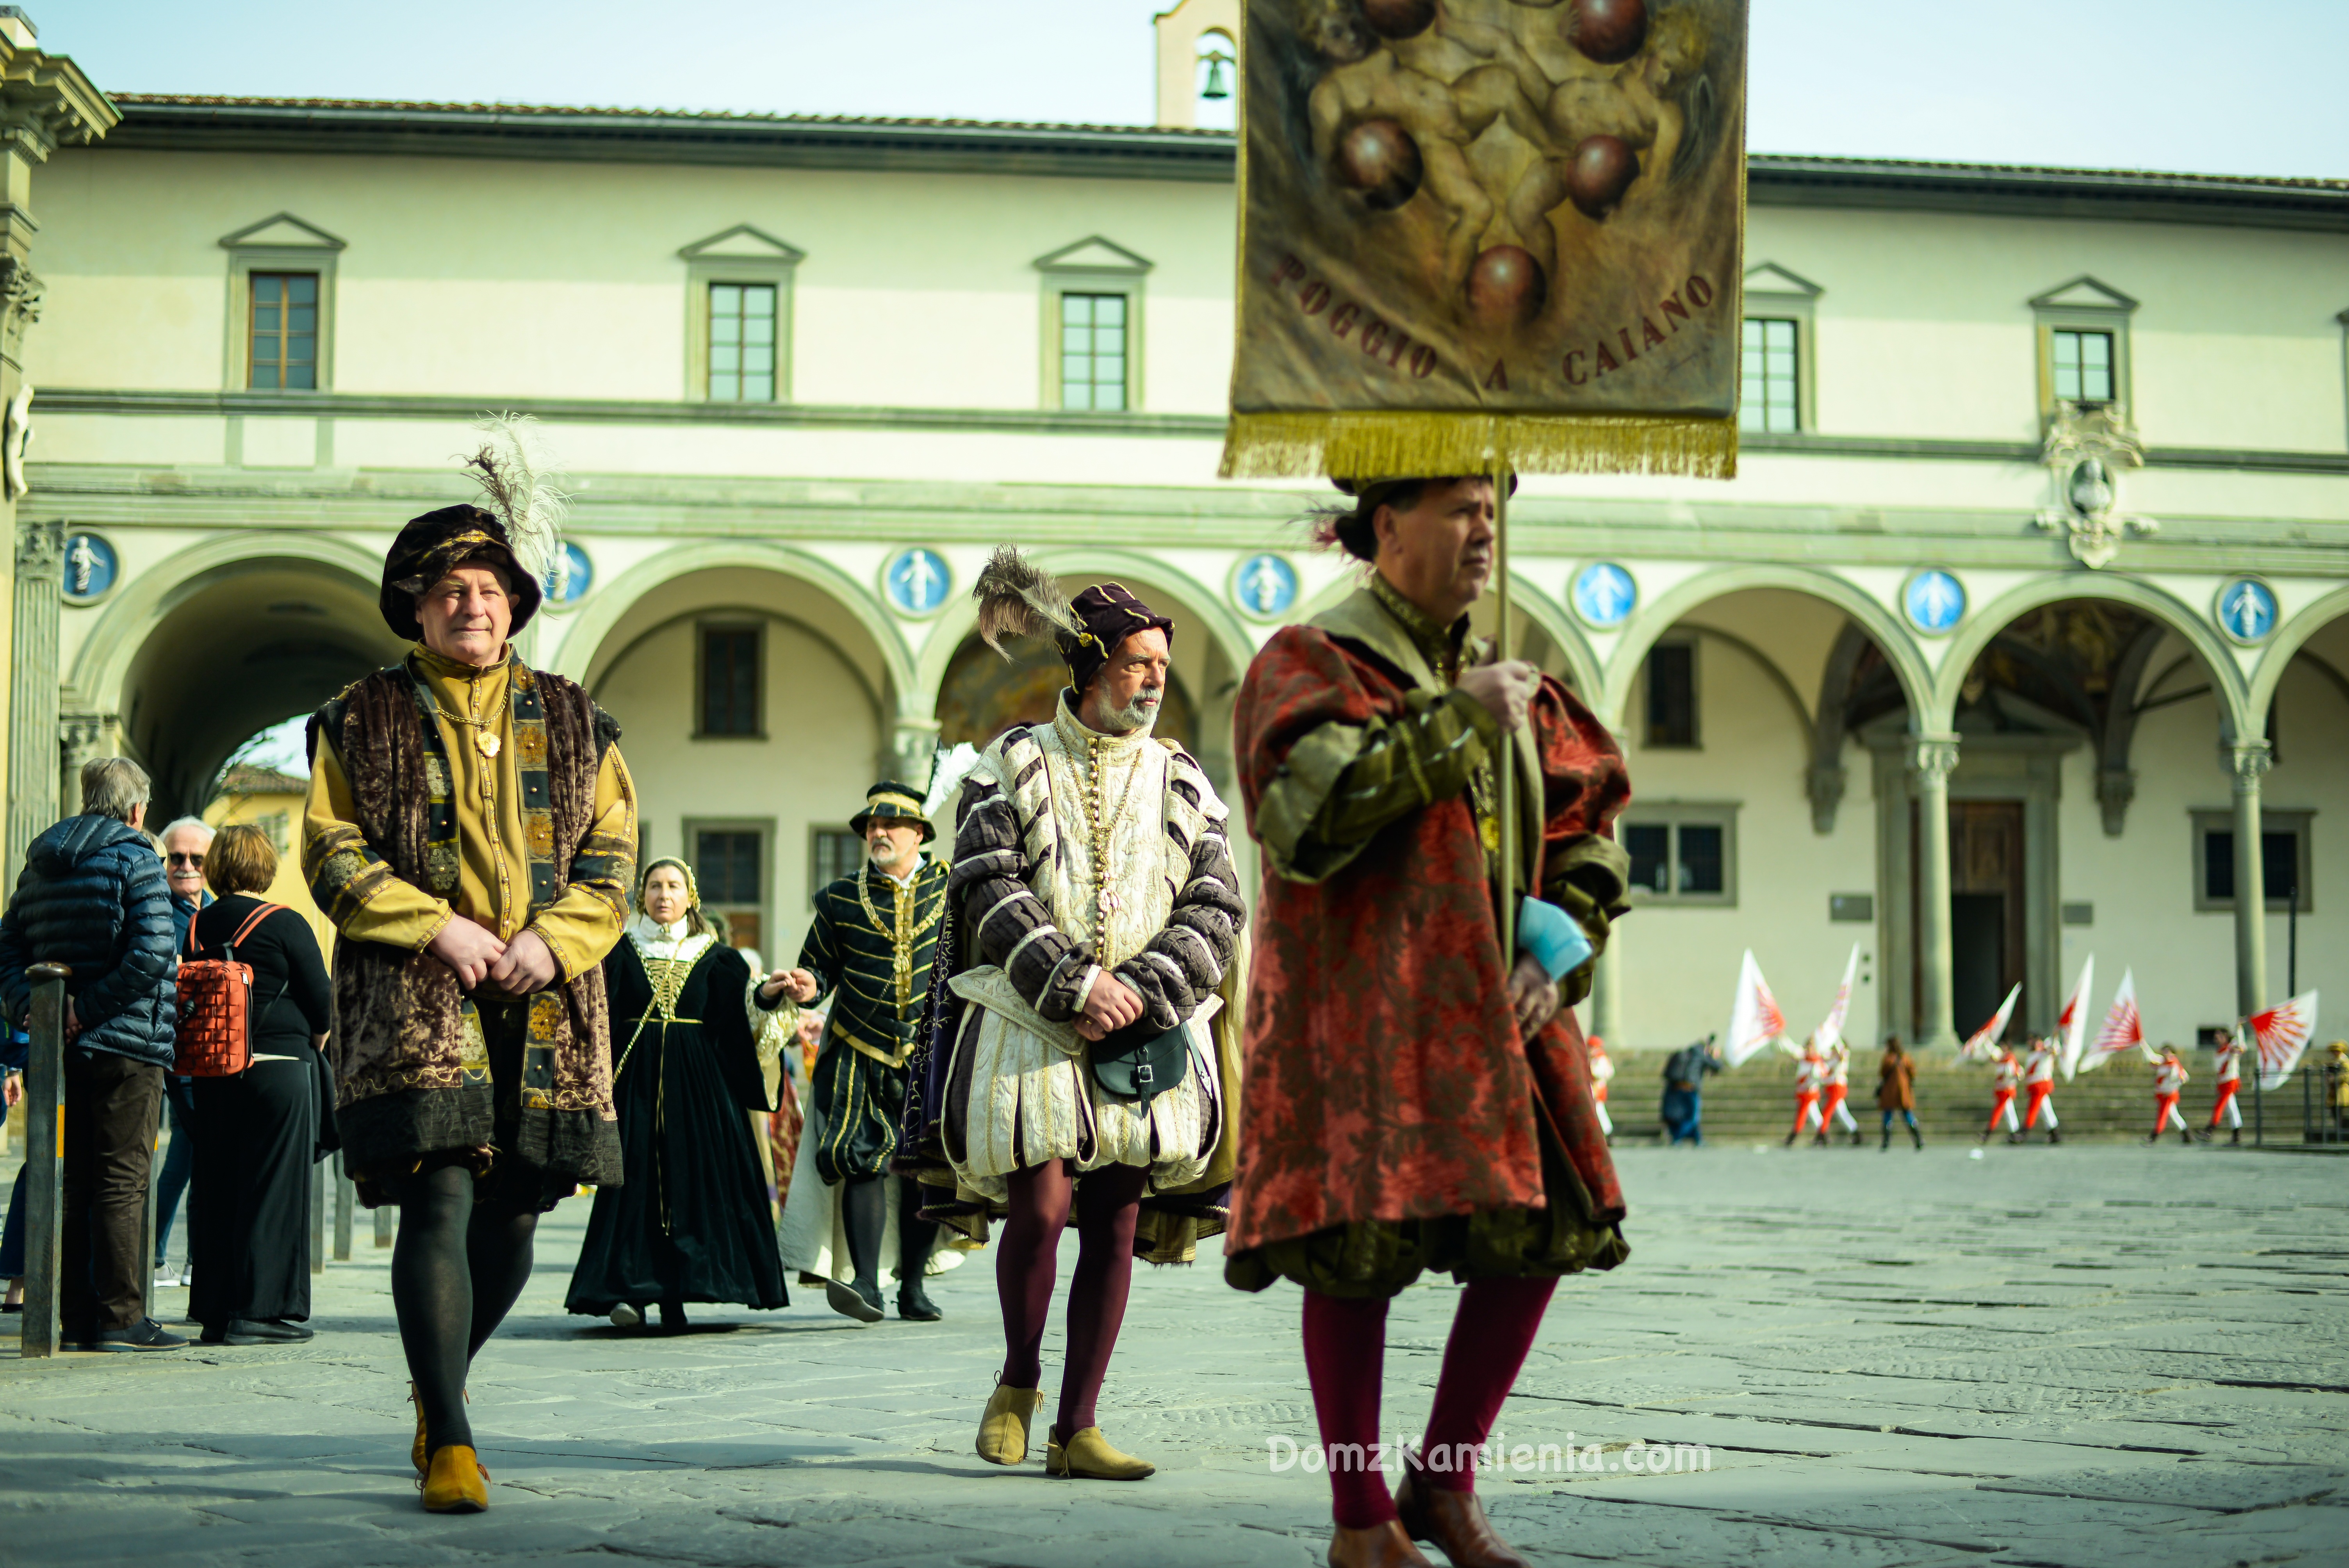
[520,532]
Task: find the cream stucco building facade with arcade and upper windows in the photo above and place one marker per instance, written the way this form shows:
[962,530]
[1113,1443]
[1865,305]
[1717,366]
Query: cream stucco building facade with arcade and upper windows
[2089,724]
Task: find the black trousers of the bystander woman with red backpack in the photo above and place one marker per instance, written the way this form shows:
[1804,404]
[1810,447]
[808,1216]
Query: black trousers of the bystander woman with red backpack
[250,1217]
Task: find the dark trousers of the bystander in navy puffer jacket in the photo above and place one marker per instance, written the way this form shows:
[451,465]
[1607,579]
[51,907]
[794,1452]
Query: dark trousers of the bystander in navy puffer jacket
[112,1109]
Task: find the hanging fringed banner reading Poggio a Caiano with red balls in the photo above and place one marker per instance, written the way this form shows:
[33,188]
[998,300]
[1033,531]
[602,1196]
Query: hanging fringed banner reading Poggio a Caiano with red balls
[1490,234]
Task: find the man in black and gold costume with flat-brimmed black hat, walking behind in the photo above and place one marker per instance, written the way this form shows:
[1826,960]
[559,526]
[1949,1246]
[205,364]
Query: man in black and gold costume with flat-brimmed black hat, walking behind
[873,942]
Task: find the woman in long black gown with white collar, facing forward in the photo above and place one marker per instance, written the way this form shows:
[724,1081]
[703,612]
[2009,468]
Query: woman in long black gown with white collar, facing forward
[696,1041]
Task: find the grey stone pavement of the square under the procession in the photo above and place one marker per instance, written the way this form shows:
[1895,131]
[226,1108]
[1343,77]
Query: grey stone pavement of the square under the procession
[2080,1356]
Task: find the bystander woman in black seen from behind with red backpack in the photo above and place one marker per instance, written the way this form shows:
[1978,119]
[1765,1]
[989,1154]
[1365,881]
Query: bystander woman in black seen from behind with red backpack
[257,1133]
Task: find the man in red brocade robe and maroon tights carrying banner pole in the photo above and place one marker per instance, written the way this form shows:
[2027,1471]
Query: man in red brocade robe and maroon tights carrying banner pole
[1411,1100]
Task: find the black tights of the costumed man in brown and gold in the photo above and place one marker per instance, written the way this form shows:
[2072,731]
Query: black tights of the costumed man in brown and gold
[457,1271]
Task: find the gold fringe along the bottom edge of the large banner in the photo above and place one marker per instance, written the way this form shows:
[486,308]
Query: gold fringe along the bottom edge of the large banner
[1392,442]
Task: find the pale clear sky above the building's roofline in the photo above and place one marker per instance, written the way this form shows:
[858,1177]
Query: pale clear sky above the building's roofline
[2104,83]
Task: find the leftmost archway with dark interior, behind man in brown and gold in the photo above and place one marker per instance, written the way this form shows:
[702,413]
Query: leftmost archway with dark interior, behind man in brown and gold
[220,642]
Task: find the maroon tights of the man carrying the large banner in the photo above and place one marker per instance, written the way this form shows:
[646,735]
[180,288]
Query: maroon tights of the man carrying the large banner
[1345,1353]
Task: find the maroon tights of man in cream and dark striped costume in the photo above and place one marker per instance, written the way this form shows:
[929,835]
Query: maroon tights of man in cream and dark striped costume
[1108,1205]
